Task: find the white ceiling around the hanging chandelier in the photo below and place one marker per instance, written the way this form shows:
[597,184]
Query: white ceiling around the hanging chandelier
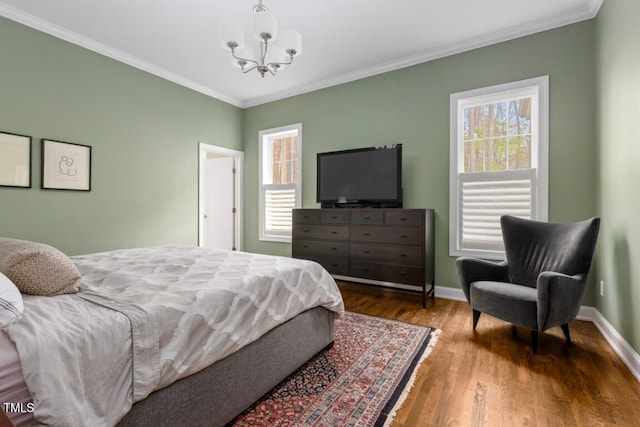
[343,40]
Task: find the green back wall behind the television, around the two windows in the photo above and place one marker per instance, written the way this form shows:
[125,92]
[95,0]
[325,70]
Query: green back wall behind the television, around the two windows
[411,106]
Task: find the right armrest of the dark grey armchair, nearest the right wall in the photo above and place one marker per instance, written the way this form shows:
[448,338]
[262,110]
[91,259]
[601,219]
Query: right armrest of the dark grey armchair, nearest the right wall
[559,298]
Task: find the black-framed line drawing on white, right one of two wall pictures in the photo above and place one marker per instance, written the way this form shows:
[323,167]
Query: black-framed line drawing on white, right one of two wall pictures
[66,166]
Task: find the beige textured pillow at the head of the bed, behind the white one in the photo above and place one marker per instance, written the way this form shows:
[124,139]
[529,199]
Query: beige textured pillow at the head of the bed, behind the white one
[38,269]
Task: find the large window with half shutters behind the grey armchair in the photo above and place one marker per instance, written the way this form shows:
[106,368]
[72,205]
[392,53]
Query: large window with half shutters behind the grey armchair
[499,163]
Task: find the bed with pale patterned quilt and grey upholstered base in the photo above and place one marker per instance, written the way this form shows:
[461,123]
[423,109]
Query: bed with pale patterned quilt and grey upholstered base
[163,336]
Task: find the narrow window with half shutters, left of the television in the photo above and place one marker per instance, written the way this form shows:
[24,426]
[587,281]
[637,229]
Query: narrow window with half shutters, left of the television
[280,180]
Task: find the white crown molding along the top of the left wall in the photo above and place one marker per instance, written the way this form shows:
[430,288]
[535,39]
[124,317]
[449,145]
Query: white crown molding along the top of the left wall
[95,46]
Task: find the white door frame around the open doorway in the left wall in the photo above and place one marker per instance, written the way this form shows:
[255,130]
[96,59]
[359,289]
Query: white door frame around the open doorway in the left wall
[203,151]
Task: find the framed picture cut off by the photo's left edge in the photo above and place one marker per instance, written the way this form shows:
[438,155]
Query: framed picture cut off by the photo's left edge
[15,160]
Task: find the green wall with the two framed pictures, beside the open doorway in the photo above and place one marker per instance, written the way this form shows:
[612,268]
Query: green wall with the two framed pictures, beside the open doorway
[144,132]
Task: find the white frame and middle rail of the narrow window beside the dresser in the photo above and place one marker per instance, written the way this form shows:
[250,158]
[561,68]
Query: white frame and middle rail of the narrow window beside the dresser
[265,140]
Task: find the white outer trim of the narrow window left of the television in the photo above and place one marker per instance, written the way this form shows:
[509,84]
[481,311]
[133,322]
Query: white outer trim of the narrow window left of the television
[278,132]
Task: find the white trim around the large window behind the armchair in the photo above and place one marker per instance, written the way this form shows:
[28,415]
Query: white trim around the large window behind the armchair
[540,162]
